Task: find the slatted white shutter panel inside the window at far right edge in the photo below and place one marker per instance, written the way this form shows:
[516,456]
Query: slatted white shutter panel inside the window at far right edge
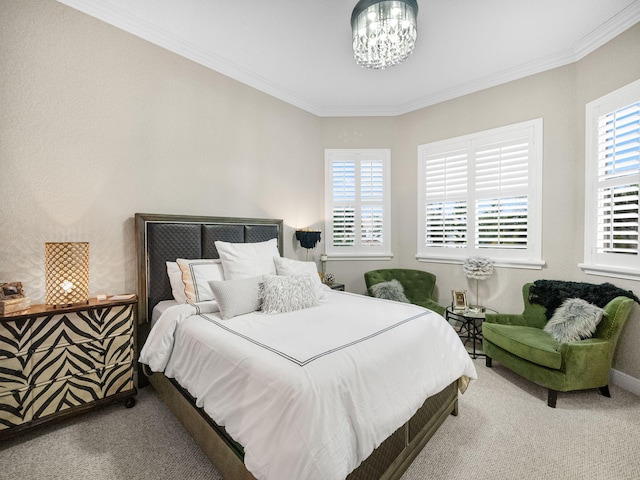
[618,176]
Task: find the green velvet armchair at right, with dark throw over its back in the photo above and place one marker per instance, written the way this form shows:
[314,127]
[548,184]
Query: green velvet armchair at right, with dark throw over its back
[519,342]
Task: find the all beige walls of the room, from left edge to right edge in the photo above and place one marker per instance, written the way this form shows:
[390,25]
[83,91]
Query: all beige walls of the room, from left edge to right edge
[96,125]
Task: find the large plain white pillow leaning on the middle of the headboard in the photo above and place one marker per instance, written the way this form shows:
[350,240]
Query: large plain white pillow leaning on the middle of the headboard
[245,260]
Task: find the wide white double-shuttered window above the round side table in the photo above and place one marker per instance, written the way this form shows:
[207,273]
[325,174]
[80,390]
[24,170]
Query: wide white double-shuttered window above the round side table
[480,195]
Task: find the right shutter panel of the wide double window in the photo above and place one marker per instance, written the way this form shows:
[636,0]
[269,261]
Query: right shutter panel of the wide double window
[501,185]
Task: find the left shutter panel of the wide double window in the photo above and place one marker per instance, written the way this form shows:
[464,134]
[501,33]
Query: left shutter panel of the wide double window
[445,177]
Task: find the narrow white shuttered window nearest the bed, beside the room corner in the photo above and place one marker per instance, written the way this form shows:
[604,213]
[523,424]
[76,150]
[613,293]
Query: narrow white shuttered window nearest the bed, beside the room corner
[357,203]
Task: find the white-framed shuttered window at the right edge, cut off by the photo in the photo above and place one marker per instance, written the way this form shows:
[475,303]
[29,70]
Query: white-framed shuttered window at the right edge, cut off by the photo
[612,174]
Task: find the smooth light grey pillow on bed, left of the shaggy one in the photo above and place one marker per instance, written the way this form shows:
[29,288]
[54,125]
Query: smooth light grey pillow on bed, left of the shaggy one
[237,297]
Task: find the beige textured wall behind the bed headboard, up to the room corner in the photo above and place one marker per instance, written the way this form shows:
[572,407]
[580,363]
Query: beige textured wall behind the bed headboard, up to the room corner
[96,125]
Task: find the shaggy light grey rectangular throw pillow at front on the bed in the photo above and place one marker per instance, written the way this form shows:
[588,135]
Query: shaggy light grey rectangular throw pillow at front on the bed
[281,294]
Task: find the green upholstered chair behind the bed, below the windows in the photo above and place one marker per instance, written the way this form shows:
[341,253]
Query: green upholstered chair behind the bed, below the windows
[418,285]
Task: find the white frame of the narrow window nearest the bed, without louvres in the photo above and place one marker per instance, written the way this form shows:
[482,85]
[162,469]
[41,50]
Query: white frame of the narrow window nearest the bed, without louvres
[358,251]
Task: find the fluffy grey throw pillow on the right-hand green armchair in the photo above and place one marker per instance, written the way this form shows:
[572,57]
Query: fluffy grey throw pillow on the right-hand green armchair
[575,319]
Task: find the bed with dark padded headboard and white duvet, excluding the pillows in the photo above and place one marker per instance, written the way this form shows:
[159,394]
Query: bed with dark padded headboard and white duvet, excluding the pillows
[273,430]
